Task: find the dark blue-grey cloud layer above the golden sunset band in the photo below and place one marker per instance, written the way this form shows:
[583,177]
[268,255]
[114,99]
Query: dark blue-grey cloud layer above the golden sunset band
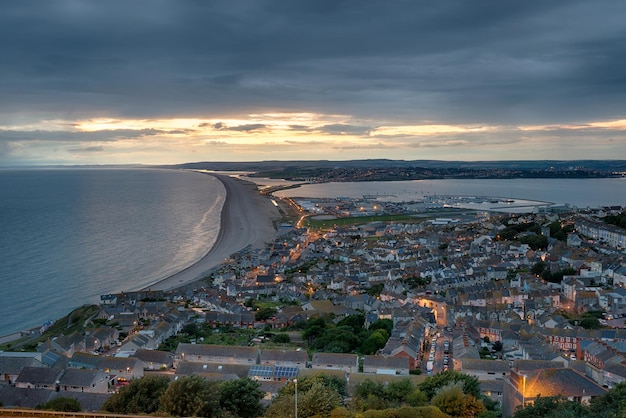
[454,61]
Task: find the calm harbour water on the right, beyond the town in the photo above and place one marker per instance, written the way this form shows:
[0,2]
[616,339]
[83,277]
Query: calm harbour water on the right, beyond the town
[581,193]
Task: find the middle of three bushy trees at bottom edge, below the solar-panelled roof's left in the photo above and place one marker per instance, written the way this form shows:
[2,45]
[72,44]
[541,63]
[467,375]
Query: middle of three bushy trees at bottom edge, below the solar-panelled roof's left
[191,396]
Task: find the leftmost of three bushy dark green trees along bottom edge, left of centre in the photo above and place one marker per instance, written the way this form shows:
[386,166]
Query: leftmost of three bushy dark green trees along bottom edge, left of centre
[141,396]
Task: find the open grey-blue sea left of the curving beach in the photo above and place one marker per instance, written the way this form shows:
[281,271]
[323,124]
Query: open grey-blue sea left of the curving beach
[69,235]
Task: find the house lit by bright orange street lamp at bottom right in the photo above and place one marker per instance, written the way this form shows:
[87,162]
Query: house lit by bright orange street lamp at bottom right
[524,387]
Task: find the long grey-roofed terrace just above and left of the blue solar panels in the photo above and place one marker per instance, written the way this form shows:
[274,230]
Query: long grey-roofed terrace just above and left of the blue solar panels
[205,353]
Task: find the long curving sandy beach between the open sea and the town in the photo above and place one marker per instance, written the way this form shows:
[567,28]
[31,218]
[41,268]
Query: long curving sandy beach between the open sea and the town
[246,219]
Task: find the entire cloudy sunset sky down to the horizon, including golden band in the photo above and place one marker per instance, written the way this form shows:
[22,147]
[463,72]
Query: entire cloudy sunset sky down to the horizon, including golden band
[174,81]
